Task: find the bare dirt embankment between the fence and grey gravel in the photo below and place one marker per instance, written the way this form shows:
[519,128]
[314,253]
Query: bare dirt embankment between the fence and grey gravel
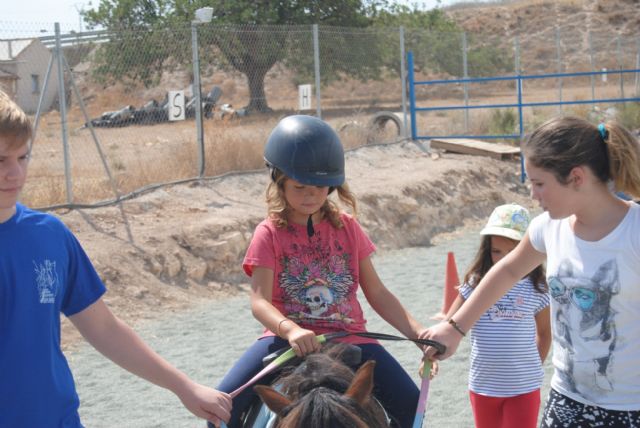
[167,250]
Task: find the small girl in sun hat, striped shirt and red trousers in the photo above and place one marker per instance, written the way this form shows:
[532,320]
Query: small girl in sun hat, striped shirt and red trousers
[512,339]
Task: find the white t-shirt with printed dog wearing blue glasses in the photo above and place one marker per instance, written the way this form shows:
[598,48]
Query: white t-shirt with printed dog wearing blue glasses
[595,310]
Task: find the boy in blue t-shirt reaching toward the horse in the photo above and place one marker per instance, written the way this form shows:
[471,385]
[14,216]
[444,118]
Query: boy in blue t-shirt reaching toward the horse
[44,271]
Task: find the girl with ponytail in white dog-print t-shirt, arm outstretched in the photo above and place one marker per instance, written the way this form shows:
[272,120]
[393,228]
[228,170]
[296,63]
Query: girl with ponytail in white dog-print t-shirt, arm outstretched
[590,239]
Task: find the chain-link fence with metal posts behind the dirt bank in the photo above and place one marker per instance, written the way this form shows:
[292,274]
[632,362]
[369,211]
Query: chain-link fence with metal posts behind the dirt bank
[101,100]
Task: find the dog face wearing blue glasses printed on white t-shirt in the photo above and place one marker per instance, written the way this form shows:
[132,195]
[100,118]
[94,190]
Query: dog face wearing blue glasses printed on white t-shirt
[584,321]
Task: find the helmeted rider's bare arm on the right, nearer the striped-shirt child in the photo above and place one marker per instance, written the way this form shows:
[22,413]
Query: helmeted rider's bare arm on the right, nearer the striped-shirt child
[385,303]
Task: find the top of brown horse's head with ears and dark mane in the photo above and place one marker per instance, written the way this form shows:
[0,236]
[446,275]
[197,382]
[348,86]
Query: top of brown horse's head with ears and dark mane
[323,392]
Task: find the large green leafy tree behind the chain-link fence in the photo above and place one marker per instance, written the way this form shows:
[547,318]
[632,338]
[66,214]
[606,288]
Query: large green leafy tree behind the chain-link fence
[244,31]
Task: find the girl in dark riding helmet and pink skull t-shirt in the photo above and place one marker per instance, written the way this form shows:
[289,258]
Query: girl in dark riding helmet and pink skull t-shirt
[306,261]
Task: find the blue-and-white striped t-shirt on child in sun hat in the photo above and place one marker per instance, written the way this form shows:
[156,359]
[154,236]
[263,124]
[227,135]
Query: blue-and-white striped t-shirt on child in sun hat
[504,359]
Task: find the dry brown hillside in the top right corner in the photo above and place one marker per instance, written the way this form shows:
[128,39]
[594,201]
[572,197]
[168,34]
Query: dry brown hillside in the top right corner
[583,27]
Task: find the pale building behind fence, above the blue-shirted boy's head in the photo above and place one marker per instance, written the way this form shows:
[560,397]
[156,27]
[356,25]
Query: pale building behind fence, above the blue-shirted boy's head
[23,66]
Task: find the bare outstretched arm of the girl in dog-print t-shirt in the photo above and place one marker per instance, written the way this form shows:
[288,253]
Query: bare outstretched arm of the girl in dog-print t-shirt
[500,278]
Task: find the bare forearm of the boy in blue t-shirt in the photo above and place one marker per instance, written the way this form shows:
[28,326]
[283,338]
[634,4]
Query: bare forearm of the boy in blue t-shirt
[118,342]
